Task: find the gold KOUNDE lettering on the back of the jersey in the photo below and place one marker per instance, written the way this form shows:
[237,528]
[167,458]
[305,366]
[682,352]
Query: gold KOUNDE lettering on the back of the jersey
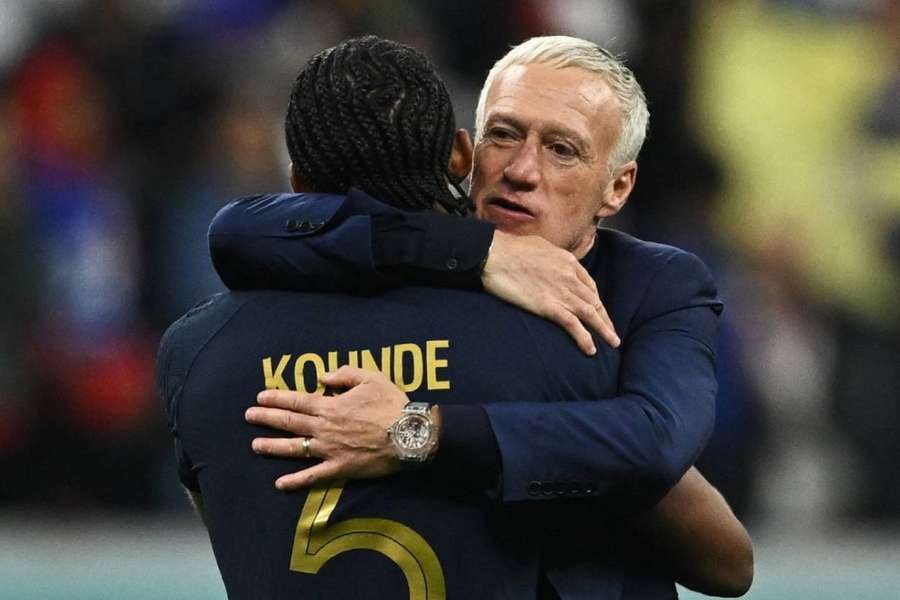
[410,366]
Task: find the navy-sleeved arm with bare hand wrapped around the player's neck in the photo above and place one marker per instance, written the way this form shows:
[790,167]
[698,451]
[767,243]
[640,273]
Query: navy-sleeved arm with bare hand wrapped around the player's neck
[314,242]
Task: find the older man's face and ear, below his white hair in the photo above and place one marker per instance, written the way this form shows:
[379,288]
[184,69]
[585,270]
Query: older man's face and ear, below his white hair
[541,166]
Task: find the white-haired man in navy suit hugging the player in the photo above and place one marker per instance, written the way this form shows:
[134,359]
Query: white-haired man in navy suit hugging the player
[559,126]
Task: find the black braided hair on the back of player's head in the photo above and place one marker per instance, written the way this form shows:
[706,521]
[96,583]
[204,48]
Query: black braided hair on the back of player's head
[373,113]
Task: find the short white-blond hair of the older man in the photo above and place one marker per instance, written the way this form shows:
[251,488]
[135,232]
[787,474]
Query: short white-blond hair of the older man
[562,51]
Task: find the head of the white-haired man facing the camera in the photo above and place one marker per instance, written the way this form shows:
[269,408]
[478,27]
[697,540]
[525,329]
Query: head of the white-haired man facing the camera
[546,92]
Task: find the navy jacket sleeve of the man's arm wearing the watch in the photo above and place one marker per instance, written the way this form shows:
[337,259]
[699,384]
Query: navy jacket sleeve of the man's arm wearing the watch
[639,443]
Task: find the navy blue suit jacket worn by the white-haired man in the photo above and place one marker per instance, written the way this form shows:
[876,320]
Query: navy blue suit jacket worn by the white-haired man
[634,443]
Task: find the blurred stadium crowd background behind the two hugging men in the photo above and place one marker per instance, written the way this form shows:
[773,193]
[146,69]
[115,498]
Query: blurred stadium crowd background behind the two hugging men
[774,154]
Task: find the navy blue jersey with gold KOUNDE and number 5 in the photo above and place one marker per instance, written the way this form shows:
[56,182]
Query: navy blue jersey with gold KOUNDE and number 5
[409,535]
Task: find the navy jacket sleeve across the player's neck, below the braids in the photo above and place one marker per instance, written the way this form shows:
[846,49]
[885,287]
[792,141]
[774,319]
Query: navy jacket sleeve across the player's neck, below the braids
[330,242]
